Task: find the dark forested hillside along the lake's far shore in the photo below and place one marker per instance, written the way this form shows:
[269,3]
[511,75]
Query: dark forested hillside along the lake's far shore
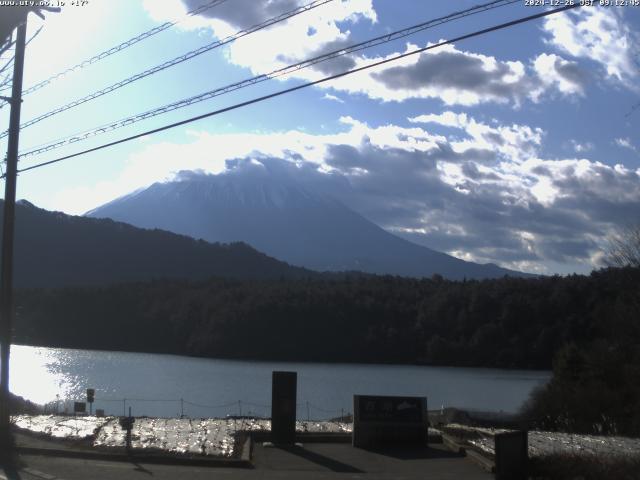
[507,322]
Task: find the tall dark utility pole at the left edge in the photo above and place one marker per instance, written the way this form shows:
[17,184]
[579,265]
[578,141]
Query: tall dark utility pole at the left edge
[6,274]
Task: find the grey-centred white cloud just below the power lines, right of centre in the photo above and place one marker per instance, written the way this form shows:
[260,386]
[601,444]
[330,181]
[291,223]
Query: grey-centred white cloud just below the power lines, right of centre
[455,76]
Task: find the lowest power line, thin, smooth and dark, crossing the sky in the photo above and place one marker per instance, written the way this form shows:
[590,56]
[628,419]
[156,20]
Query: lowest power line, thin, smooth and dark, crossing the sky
[308,84]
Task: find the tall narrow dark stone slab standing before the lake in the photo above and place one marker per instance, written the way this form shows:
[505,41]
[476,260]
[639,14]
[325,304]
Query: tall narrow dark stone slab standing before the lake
[283,408]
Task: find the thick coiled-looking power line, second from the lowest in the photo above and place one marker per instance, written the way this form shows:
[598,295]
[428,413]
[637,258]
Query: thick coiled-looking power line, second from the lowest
[264,77]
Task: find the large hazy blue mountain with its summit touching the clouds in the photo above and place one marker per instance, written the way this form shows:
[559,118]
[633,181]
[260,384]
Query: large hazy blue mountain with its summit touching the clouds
[280,217]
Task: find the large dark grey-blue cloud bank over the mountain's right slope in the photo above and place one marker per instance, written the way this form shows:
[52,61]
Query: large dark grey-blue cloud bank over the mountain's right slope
[489,212]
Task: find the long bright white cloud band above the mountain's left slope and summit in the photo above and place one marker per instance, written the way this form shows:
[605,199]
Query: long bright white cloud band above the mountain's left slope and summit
[208,152]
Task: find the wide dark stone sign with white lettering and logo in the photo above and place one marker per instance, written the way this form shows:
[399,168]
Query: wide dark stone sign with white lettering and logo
[385,420]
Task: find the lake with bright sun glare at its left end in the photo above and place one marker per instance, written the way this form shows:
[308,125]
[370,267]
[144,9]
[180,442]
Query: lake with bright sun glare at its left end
[171,385]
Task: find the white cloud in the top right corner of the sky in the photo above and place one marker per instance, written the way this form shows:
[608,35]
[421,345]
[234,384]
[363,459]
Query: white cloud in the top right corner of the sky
[598,34]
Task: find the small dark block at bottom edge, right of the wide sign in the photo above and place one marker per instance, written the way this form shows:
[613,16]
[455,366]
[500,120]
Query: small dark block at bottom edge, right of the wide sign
[512,455]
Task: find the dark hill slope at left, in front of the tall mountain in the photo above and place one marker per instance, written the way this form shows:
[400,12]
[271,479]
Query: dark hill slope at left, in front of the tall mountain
[53,249]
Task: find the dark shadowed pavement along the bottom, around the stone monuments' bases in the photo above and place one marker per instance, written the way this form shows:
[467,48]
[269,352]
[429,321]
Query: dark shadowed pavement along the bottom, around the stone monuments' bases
[312,461]
